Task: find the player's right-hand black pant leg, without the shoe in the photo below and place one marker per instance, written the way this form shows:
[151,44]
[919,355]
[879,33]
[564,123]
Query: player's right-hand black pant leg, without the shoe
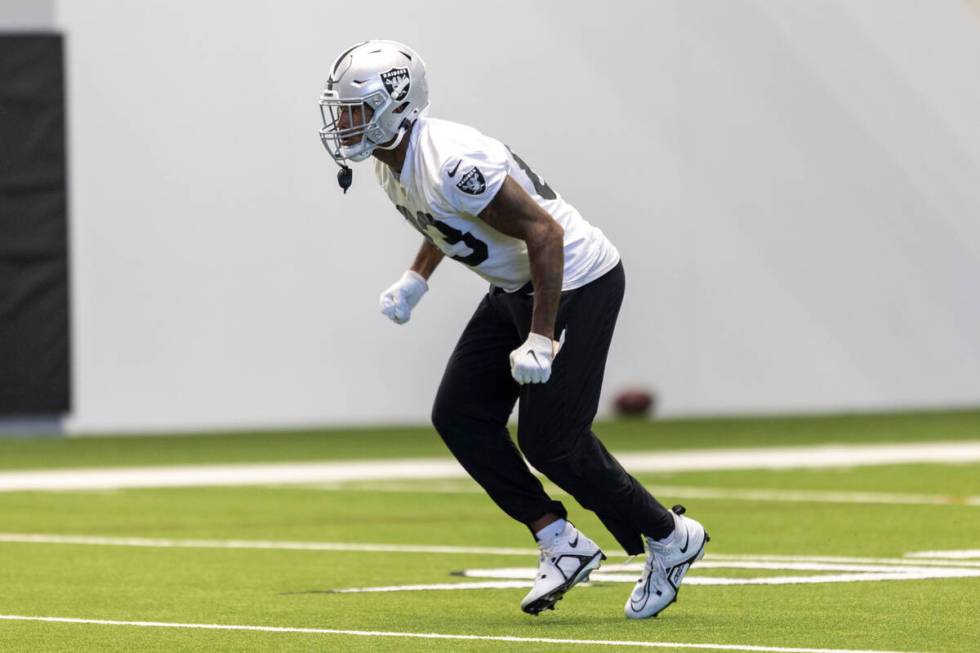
[555,422]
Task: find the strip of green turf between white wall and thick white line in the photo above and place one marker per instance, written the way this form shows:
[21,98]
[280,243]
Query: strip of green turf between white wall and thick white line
[410,442]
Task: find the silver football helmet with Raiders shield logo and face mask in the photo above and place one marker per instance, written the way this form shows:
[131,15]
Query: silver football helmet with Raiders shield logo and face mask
[375,91]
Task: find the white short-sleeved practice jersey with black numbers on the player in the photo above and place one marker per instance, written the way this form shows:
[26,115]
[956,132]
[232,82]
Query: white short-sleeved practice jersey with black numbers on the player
[451,173]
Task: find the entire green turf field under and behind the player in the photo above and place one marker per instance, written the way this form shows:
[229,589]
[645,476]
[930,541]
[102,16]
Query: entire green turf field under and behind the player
[870,516]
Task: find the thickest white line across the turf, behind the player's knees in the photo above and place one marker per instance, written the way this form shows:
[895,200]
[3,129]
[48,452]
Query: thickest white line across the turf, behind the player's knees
[821,456]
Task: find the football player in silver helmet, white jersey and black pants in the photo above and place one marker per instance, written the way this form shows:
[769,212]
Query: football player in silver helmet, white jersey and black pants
[541,333]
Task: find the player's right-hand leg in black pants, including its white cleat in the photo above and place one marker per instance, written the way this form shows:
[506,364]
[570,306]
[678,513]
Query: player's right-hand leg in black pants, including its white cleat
[555,434]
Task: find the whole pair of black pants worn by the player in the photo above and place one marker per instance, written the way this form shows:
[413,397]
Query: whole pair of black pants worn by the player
[554,431]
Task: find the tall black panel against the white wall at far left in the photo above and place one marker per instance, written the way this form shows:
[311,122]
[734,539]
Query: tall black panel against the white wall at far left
[34,329]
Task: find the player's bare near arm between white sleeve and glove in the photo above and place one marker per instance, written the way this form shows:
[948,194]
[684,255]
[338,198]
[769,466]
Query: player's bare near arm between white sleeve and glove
[514,213]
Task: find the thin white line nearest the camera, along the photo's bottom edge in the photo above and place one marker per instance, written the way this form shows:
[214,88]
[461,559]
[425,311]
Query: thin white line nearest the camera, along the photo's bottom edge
[442,636]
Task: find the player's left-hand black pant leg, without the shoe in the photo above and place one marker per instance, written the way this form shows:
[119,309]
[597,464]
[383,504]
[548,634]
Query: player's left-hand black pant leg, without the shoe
[470,412]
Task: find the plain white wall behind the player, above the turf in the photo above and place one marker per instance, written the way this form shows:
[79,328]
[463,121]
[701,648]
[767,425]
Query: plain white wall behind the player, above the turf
[794,186]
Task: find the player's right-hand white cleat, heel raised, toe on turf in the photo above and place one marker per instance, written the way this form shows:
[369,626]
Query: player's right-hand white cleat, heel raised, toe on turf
[666,566]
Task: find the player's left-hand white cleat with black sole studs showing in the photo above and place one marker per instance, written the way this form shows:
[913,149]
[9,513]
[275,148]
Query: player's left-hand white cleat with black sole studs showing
[565,561]
